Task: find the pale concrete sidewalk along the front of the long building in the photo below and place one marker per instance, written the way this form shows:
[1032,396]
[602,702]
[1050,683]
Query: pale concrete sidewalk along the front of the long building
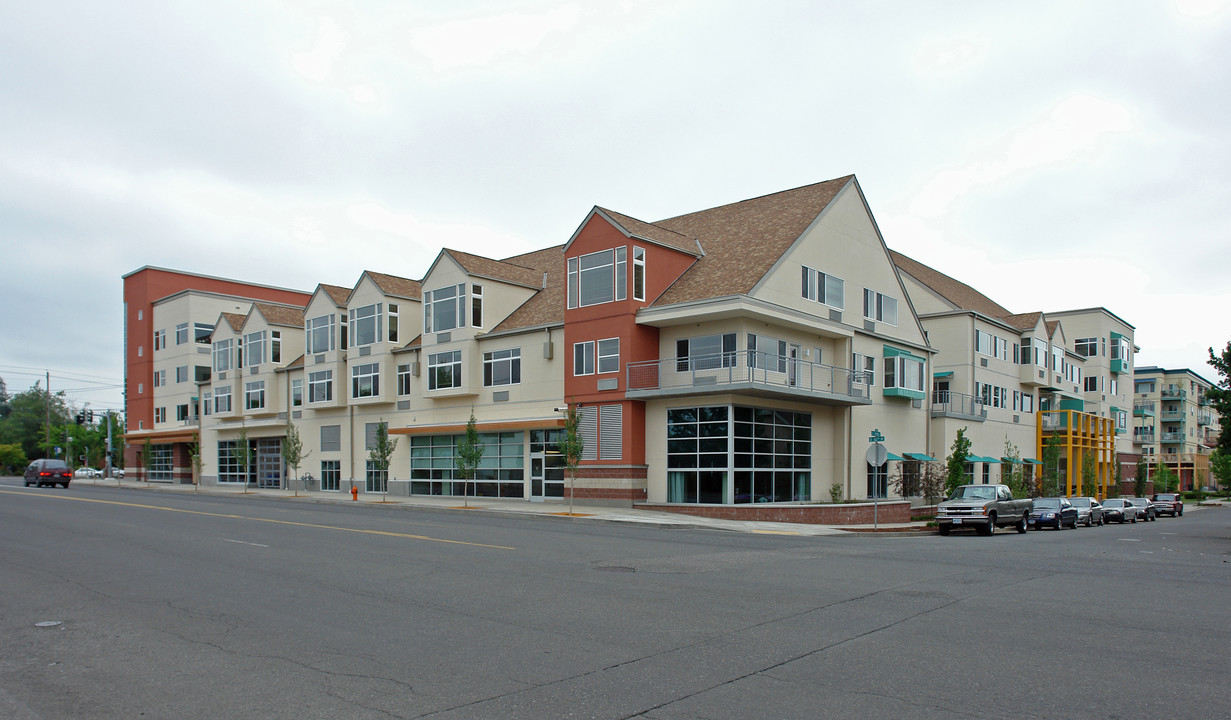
[553,509]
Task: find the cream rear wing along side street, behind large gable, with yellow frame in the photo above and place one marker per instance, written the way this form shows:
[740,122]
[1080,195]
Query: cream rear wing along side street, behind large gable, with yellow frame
[1012,381]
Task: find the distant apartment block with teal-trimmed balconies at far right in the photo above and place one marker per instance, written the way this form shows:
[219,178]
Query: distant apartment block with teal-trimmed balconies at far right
[1174,423]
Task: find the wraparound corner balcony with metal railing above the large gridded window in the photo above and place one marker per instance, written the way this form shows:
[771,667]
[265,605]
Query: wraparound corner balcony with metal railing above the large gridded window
[753,374]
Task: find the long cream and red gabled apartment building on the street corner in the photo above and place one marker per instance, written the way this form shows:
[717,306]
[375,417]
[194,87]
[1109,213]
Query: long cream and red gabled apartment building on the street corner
[740,355]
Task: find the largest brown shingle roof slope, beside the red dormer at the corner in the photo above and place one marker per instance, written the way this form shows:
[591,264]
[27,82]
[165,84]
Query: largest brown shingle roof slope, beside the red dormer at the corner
[744,241]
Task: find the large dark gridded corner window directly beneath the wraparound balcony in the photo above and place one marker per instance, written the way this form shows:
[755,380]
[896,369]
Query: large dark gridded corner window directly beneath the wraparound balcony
[737,455]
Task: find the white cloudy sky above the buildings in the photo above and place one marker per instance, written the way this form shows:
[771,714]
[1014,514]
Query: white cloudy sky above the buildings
[1054,154]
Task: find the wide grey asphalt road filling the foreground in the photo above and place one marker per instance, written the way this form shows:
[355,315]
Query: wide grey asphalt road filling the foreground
[179,606]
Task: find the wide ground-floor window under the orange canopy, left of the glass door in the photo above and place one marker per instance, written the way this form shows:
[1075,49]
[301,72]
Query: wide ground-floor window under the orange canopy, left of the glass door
[500,474]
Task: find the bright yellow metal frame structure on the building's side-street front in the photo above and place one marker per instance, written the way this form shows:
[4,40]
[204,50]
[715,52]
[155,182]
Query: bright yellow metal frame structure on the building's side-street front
[1080,433]
